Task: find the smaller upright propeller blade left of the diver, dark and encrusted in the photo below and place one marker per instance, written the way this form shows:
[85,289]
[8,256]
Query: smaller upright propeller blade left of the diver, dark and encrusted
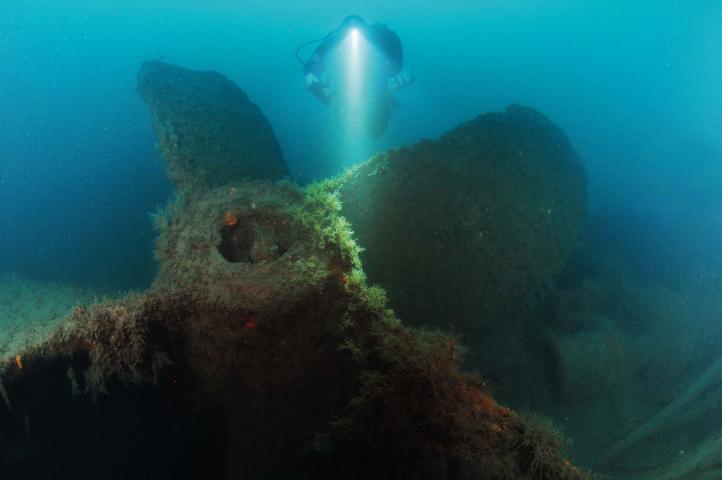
[209,132]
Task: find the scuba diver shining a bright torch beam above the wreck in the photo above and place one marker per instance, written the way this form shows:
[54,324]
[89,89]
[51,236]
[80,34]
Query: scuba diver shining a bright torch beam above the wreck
[383,70]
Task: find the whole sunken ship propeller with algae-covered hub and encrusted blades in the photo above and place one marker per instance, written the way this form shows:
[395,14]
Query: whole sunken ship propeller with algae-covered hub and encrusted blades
[261,351]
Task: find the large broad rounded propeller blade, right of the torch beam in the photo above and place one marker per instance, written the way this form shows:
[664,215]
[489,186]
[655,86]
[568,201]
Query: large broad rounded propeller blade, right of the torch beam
[463,231]
